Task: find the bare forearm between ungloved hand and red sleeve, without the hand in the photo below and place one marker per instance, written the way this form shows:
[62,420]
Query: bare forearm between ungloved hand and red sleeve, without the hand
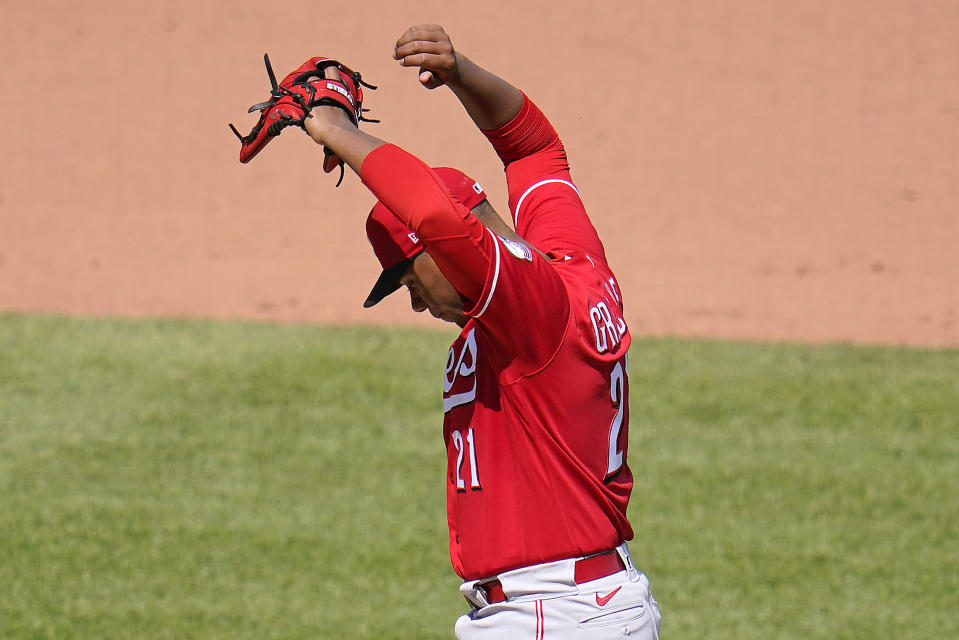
[489,100]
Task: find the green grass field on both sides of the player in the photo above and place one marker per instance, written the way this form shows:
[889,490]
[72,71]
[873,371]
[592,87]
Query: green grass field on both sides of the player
[170,479]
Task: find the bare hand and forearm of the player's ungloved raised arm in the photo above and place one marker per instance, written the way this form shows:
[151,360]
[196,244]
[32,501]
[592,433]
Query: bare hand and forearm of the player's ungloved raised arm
[489,100]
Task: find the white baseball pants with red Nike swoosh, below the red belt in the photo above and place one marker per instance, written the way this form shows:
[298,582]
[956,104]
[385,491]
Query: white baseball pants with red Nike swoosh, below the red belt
[545,603]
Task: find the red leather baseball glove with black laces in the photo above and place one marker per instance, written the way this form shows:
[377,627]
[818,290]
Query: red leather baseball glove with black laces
[292,100]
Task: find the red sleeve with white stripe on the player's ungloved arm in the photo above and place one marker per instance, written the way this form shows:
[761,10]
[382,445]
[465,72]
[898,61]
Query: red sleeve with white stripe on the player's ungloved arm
[545,204]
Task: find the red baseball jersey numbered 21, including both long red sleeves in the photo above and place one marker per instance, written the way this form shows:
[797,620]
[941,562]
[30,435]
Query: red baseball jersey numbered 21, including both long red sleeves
[535,396]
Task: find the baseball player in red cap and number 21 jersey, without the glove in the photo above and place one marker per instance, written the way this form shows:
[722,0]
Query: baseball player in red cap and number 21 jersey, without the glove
[535,395]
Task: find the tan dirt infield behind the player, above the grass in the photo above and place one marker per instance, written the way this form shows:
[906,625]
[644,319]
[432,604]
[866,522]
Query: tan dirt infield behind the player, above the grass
[761,170]
